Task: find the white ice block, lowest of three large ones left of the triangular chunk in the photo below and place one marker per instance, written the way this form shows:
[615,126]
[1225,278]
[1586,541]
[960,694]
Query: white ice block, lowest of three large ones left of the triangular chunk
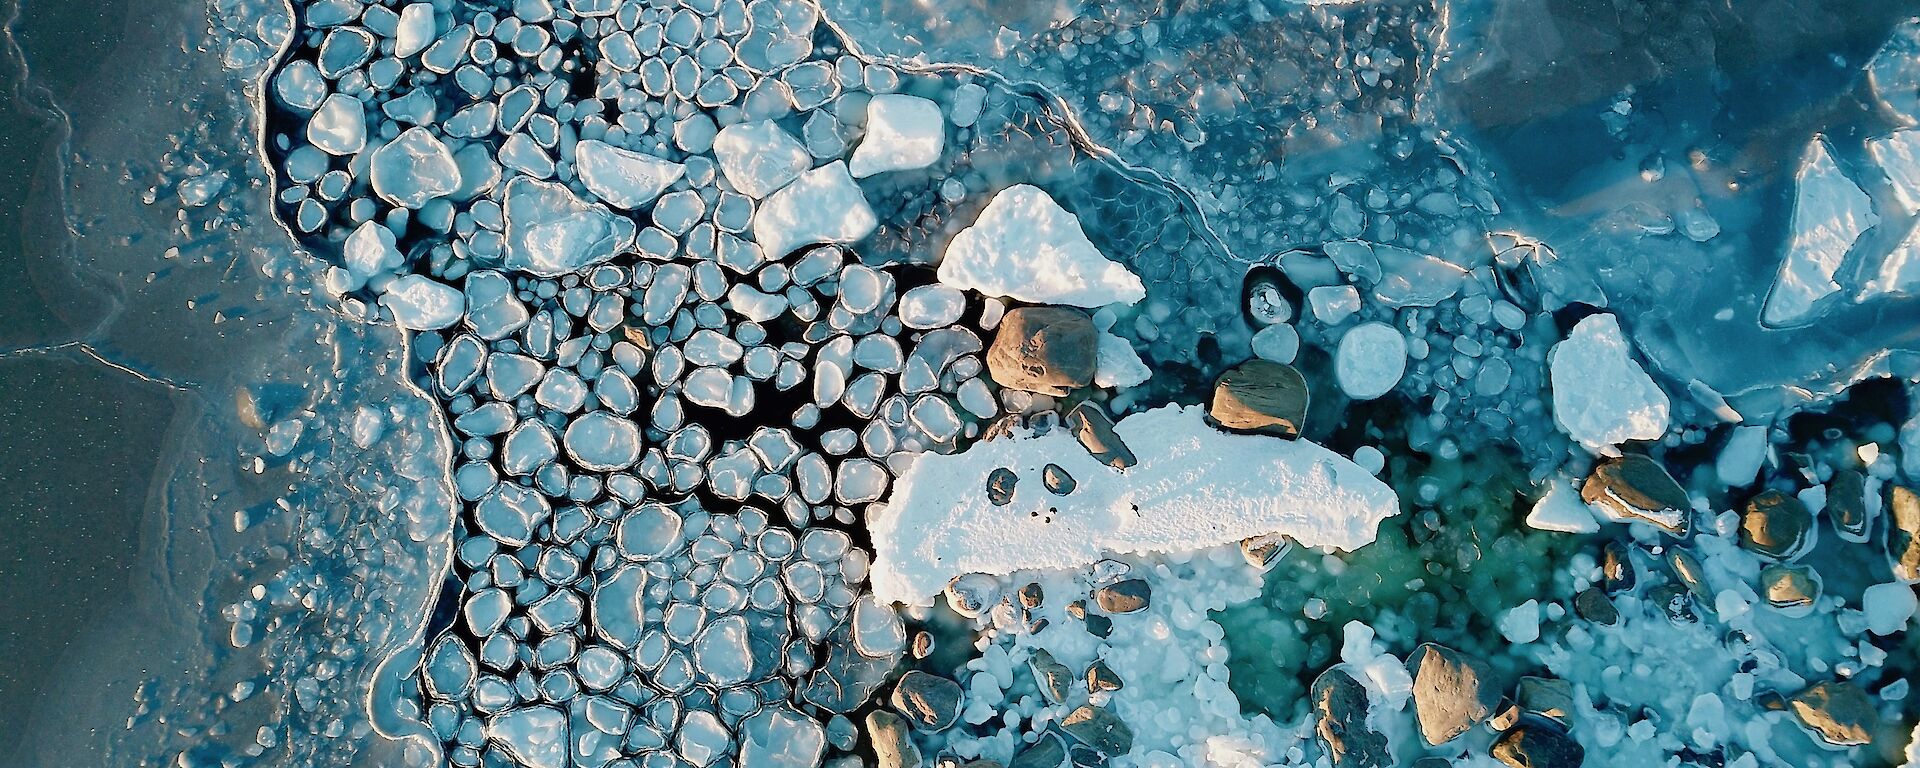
[821,206]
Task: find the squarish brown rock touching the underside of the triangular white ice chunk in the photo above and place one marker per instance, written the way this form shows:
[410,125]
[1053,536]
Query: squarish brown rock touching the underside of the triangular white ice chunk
[1045,350]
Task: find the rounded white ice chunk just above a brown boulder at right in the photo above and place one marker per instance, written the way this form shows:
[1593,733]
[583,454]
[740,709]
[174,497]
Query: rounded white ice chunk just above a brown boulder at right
[1600,395]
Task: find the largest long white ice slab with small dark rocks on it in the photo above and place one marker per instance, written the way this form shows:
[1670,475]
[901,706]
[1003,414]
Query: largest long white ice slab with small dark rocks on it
[1182,496]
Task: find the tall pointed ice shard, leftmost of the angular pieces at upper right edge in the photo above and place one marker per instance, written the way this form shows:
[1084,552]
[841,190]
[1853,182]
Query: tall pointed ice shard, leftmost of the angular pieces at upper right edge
[1829,216]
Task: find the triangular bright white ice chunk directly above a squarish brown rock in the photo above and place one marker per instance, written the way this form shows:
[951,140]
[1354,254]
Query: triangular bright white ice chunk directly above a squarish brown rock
[1030,249]
